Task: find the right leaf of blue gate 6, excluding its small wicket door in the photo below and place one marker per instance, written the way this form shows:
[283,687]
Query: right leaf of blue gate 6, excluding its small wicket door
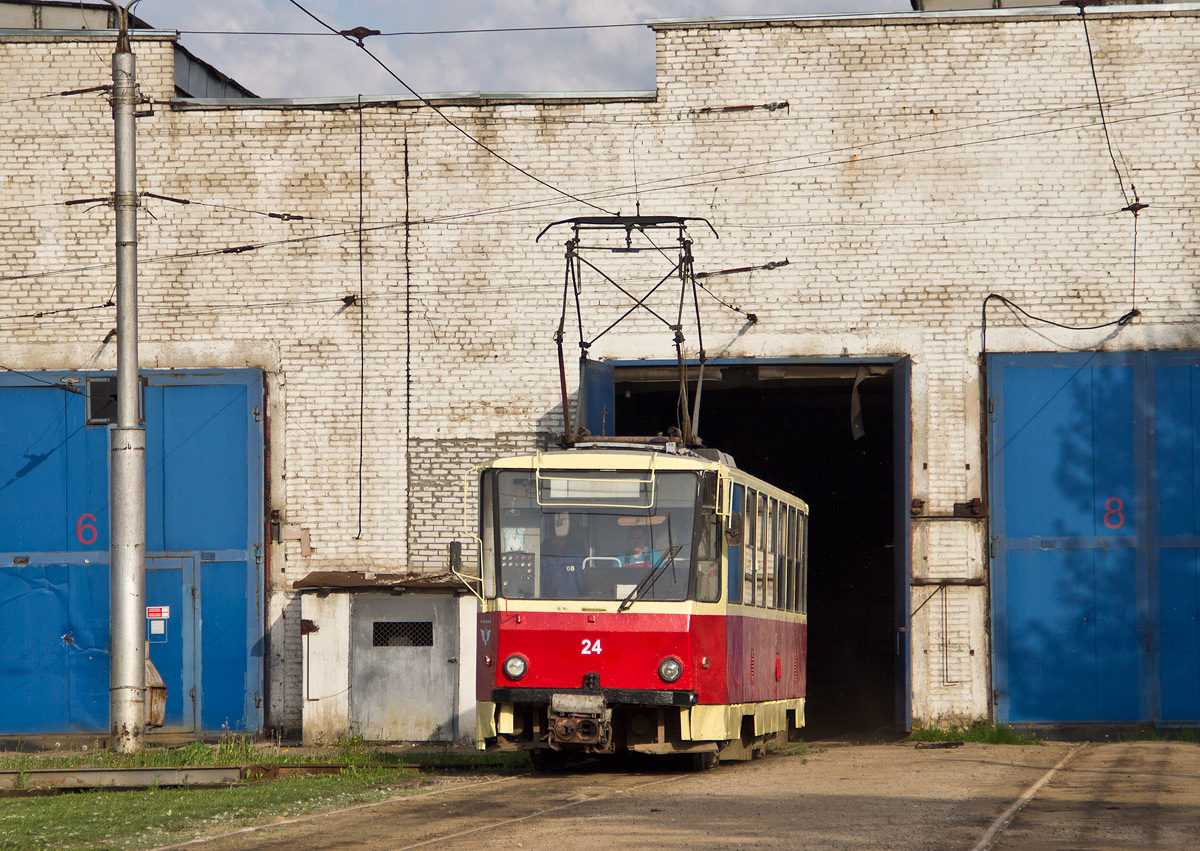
[205,481]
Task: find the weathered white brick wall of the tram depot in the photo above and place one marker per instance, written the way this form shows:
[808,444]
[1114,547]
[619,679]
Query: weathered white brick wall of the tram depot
[921,163]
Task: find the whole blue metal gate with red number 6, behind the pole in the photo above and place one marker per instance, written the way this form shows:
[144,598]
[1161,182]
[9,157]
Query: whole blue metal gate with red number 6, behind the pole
[205,511]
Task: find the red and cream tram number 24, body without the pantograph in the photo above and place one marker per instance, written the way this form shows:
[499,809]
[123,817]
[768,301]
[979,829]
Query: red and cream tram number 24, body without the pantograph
[638,597]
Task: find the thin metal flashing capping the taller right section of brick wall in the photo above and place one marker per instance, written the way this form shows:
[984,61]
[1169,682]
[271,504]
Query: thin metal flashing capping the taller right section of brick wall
[884,19]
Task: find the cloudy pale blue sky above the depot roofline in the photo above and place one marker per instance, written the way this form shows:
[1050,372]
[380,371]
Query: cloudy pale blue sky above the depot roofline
[297,67]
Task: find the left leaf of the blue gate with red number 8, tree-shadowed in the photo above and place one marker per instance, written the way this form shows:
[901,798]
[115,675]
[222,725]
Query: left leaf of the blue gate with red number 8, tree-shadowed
[1072,603]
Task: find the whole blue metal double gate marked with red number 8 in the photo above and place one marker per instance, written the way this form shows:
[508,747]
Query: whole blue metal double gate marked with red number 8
[1088,456]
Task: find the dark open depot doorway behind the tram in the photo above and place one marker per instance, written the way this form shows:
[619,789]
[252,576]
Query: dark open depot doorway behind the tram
[791,425]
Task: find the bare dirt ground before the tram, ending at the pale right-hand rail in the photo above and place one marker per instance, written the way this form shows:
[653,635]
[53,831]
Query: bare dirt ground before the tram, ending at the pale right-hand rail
[842,798]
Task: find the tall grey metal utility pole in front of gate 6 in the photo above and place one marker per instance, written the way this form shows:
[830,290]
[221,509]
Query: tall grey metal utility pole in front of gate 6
[127,682]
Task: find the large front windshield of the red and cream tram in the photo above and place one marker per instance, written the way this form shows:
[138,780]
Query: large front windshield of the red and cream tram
[596,536]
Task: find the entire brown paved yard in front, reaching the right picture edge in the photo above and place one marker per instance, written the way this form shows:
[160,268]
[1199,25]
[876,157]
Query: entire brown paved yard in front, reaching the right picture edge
[1118,796]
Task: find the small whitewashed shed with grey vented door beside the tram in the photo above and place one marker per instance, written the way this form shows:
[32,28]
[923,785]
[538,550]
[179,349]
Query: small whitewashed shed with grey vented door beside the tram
[388,657]
